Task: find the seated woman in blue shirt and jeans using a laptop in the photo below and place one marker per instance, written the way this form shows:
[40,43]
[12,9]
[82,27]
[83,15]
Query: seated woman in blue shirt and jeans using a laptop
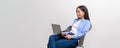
[70,38]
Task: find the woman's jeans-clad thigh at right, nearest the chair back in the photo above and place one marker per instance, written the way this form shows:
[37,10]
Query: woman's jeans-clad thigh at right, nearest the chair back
[66,43]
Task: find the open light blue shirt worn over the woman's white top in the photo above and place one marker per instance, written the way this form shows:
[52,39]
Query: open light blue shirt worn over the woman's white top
[82,28]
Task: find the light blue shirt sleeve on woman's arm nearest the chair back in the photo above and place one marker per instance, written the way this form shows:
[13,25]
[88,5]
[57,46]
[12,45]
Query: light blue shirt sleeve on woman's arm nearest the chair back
[83,31]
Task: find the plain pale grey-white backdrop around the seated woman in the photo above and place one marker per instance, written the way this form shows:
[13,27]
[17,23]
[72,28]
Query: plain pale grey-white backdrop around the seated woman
[27,23]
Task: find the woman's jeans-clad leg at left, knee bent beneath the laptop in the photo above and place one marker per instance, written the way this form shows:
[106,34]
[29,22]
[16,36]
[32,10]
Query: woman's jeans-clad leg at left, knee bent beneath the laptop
[53,39]
